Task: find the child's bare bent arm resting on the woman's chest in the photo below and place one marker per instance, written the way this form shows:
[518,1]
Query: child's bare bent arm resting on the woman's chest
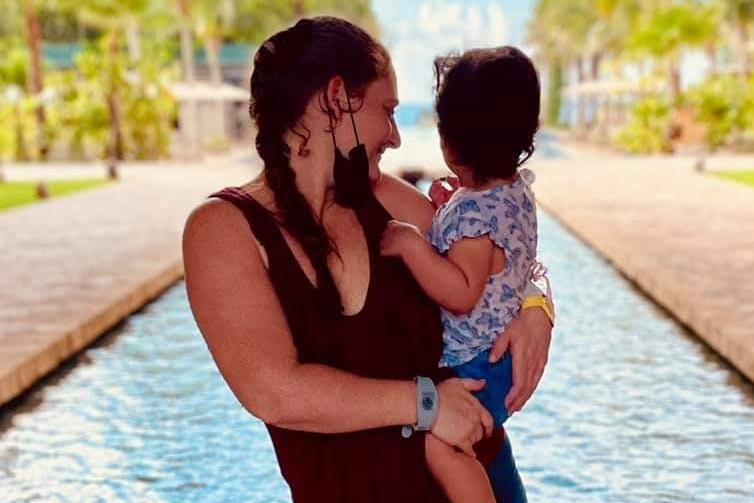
[455,282]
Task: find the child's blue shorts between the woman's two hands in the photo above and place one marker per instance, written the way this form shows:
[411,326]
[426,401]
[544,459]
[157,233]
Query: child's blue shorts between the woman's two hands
[499,378]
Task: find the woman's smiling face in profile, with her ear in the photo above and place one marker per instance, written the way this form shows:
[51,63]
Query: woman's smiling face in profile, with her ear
[375,122]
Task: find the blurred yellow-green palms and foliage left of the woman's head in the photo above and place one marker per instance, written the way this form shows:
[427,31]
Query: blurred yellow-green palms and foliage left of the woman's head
[114,102]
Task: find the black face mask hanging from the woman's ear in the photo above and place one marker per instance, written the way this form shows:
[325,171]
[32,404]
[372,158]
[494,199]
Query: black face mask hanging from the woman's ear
[351,174]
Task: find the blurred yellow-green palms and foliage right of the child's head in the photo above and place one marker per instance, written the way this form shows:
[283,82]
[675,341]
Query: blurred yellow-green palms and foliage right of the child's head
[646,42]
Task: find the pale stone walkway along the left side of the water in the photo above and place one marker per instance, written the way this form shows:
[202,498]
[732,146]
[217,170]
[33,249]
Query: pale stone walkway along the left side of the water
[72,267]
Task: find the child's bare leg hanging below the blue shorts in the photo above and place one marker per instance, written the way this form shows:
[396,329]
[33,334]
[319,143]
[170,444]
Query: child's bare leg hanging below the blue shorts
[462,477]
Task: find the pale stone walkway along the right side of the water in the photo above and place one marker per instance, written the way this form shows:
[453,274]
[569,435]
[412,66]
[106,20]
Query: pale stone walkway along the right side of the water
[684,238]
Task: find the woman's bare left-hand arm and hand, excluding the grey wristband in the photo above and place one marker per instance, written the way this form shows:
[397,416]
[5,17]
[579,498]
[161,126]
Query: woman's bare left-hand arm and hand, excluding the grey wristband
[240,317]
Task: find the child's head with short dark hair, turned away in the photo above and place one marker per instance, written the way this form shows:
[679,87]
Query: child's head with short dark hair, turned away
[487,109]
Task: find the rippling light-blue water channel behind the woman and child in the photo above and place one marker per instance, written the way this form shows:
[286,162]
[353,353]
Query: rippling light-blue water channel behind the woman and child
[631,408]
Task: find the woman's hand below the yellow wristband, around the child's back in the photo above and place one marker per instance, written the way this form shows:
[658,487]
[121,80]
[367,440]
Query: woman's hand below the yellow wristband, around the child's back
[528,339]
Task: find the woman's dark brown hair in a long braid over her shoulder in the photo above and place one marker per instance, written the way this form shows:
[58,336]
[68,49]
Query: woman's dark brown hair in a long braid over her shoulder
[289,69]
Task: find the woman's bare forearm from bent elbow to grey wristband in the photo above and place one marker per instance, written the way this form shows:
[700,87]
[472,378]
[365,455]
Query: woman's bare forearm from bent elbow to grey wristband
[322,399]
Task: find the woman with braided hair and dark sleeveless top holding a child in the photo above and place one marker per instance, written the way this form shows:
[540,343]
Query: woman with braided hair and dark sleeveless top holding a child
[315,333]
